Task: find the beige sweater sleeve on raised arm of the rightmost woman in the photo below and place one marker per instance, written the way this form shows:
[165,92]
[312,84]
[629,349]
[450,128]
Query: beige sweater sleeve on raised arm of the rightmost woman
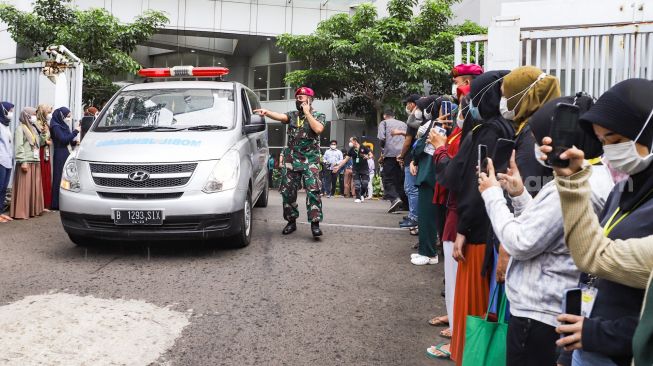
[629,262]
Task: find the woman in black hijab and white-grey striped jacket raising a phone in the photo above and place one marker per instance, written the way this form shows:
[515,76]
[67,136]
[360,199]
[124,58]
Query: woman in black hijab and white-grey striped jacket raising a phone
[541,267]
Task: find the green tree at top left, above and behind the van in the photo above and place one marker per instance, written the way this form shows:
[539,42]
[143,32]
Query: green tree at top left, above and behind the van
[95,36]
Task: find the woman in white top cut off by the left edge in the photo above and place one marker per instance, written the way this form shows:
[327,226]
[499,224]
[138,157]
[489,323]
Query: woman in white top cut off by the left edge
[6,154]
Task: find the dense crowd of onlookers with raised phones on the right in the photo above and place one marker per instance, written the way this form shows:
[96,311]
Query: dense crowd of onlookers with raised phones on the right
[547,230]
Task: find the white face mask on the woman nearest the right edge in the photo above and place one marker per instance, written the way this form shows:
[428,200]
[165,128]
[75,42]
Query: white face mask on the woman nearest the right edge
[624,156]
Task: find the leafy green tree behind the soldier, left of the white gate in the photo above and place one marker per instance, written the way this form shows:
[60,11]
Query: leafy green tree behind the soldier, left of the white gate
[374,62]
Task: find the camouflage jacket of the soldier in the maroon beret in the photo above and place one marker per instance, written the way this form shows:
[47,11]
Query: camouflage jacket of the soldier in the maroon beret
[303,143]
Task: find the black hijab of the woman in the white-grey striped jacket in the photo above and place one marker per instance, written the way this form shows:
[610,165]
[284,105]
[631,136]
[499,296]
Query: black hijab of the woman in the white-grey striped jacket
[541,121]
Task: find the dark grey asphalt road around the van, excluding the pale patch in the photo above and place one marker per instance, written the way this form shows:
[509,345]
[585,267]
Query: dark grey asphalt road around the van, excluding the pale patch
[351,297]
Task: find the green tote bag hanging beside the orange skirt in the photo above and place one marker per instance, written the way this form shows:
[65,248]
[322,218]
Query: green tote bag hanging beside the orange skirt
[485,341]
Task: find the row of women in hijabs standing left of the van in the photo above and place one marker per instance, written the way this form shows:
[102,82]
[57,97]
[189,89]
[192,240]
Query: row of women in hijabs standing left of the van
[33,151]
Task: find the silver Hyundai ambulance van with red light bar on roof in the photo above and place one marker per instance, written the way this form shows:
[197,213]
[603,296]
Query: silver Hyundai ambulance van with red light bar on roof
[169,160]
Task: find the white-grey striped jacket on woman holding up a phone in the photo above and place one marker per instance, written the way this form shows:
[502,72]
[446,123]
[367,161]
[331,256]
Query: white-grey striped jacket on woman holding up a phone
[540,267]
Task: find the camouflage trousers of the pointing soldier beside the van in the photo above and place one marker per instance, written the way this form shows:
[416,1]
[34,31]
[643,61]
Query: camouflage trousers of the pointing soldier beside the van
[291,182]
